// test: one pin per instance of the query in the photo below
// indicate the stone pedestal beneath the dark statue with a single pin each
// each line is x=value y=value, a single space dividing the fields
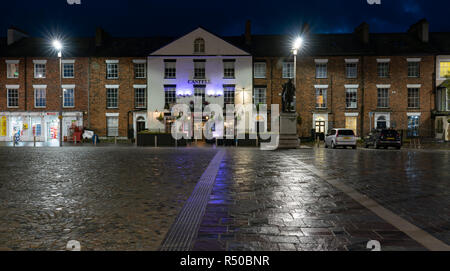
x=288 y=131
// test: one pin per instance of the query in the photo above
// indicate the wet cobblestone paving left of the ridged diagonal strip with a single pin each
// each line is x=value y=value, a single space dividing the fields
x=106 y=198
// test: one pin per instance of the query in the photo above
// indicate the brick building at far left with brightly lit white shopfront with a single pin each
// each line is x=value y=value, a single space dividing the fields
x=30 y=88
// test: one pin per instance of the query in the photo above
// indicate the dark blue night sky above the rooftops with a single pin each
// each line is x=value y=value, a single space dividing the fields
x=171 y=18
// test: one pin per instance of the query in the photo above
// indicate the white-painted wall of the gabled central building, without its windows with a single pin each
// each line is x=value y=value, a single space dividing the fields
x=182 y=51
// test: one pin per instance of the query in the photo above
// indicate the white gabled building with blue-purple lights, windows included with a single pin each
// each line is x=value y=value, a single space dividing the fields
x=199 y=64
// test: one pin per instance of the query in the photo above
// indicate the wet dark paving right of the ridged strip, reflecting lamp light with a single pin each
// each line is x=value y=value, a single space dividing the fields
x=268 y=201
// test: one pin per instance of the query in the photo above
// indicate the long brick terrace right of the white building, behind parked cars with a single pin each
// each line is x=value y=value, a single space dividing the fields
x=359 y=81
